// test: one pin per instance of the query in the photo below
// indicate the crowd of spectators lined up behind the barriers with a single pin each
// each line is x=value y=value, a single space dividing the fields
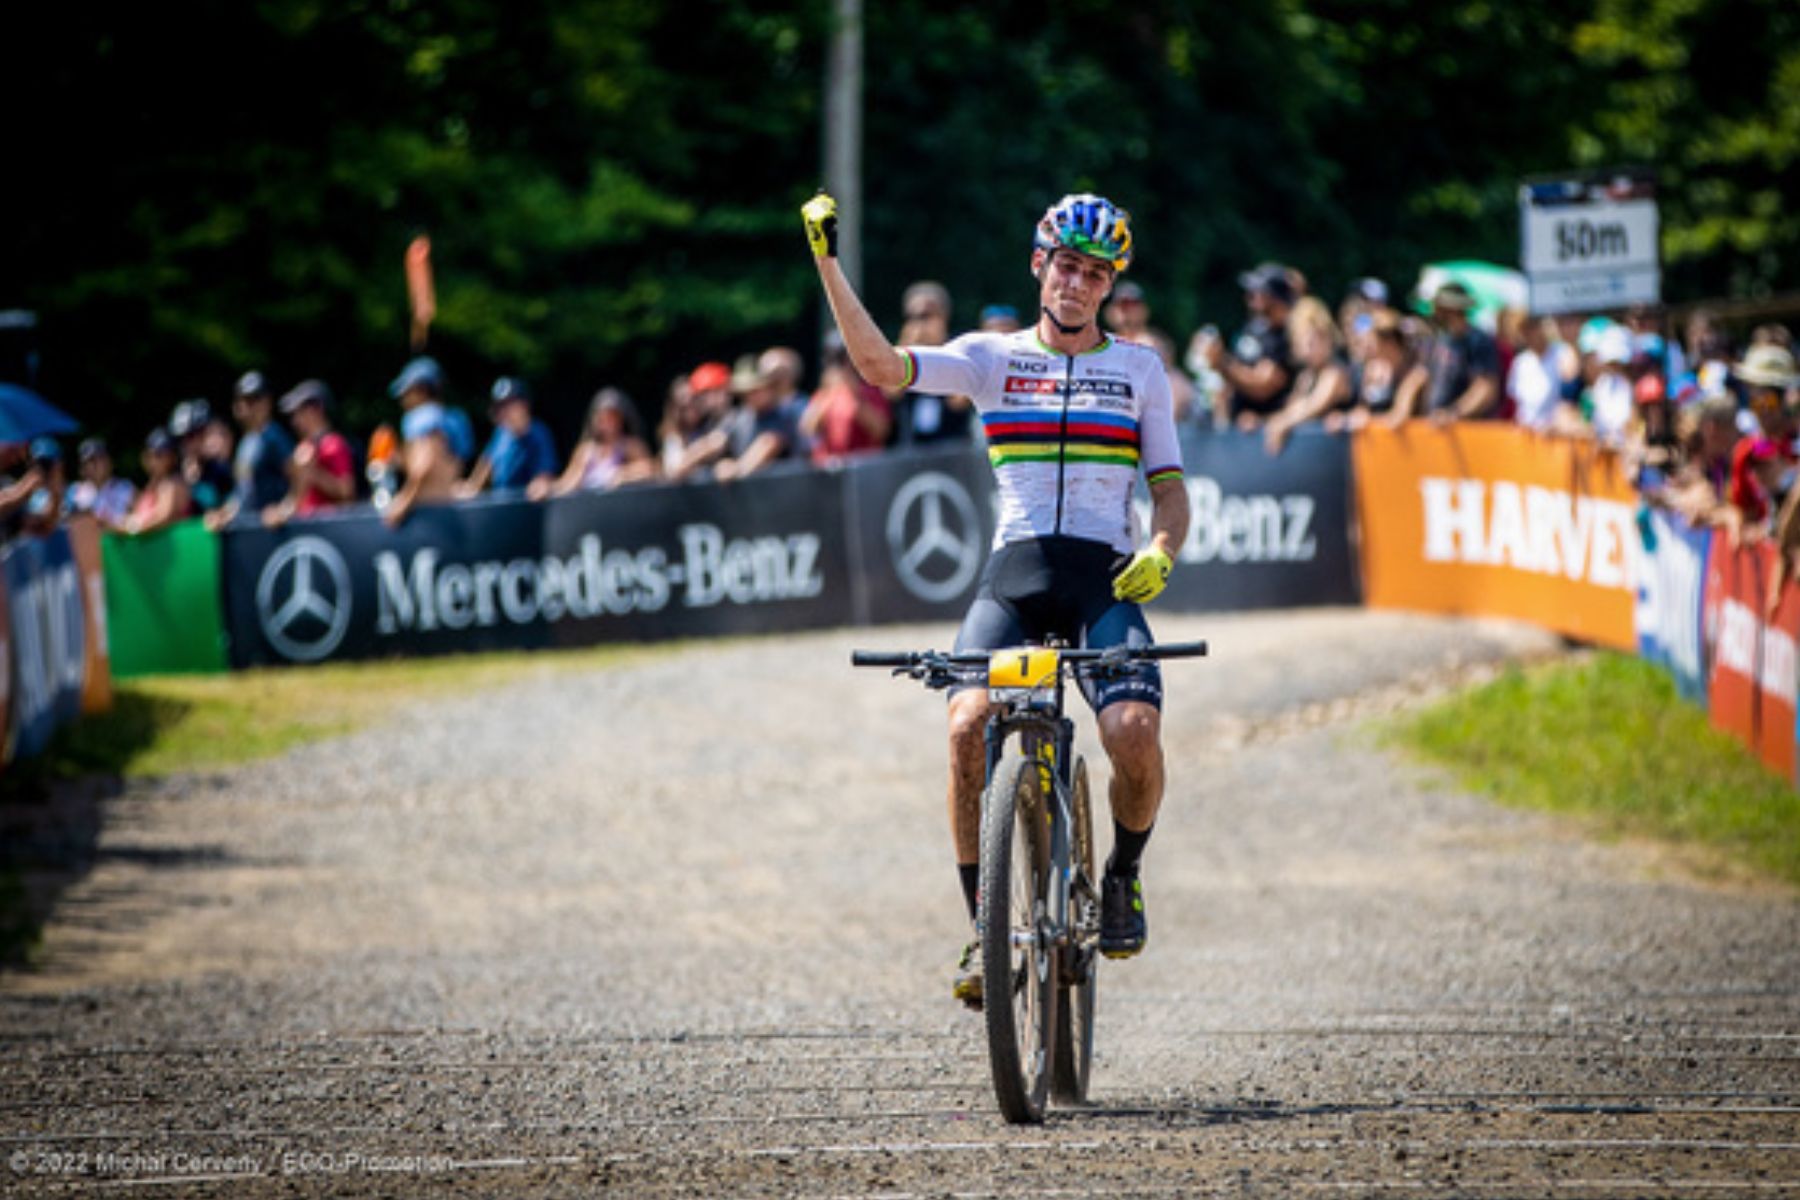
x=1707 y=425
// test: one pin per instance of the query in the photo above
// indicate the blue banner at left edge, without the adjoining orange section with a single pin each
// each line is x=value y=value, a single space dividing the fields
x=49 y=640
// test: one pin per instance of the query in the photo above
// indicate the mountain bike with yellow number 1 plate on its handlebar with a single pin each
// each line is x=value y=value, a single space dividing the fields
x=1038 y=922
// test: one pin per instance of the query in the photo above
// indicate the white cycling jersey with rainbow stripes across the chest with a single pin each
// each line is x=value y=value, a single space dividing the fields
x=1066 y=433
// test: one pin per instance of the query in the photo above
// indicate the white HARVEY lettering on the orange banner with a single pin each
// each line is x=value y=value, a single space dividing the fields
x=1533 y=530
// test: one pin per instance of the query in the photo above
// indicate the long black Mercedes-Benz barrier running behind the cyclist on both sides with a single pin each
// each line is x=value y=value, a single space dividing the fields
x=886 y=541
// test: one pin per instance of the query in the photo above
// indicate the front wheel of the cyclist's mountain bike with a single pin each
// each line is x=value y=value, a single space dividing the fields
x=1018 y=962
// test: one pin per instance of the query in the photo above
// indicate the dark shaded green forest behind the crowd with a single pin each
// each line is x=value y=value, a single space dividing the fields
x=611 y=186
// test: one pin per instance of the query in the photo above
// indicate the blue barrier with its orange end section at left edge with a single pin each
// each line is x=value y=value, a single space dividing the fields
x=55 y=613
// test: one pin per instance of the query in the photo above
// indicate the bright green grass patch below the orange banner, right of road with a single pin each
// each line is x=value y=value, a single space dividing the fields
x=1608 y=740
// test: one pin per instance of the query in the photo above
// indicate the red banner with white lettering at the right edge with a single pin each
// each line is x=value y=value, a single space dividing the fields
x=1754 y=665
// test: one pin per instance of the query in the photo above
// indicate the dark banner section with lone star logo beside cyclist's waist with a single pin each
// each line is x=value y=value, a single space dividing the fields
x=921 y=530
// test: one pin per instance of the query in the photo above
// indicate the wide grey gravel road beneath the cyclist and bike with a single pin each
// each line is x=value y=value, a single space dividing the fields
x=685 y=927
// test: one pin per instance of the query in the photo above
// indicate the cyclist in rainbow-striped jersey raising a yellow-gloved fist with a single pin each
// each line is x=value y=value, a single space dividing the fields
x=1070 y=416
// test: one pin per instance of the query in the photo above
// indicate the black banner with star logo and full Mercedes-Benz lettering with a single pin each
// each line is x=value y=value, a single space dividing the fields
x=649 y=562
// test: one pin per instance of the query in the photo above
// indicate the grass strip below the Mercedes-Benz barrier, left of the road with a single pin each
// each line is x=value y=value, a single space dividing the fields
x=199 y=722
